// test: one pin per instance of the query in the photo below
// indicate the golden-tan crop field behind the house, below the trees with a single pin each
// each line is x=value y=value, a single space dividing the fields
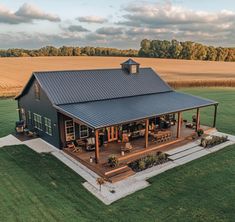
x=14 y=72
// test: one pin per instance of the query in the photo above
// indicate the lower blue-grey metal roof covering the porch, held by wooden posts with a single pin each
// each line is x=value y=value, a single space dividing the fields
x=104 y=113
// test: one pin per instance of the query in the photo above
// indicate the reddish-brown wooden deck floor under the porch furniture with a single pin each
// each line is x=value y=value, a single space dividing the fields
x=138 y=151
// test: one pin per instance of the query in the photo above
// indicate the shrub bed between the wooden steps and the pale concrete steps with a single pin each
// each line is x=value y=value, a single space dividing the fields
x=148 y=161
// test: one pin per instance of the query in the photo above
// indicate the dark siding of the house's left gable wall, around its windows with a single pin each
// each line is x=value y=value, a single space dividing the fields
x=44 y=108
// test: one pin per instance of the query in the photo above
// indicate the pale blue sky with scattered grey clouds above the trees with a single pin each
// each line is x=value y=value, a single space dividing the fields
x=121 y=24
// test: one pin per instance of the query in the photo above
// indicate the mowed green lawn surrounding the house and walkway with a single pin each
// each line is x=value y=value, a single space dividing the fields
x=36 y=187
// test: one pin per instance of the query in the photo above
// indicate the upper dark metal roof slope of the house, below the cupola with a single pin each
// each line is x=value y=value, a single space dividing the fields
x=63 y=87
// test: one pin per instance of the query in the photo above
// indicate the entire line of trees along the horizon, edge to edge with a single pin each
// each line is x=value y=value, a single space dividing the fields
x=148 y=48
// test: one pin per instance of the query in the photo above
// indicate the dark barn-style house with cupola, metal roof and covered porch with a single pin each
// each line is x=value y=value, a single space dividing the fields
x=92 y=114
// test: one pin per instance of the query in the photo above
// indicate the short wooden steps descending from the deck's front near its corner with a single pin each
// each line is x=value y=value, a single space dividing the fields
x=123 y=173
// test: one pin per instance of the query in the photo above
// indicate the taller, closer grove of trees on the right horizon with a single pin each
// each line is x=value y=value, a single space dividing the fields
x=184 y=50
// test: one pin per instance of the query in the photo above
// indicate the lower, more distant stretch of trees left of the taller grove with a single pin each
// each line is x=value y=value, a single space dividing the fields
x=69 y=51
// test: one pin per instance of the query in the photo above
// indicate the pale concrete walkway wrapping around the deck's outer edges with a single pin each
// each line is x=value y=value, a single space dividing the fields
x=113 y=192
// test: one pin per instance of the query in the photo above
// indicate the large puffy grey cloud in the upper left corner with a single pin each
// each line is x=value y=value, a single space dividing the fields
x=25 y=14
